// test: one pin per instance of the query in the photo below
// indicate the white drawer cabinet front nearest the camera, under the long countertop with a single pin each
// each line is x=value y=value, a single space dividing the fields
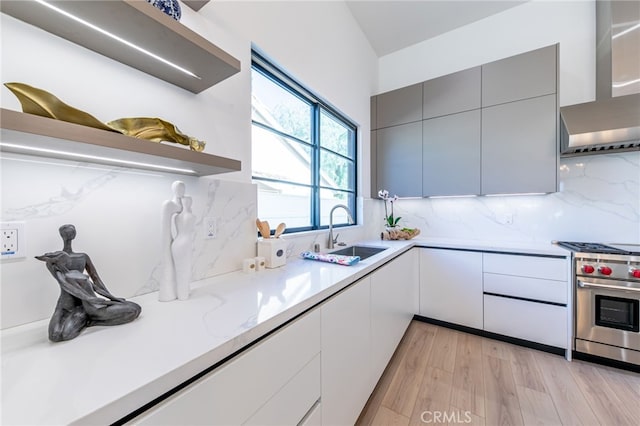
x=255 y=386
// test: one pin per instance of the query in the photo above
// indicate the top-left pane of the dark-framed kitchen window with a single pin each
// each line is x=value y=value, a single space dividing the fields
x=278 y=108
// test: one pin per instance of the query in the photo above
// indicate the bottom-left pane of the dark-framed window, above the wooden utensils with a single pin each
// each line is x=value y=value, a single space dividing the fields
x=280 y=202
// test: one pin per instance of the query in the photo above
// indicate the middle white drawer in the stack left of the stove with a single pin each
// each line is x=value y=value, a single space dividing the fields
x=528 y=288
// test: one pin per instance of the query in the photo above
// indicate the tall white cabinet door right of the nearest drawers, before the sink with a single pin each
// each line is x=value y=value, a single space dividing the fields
x=346 y=347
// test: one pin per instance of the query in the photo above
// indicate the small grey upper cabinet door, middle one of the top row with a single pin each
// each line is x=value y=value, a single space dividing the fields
x=451 y=93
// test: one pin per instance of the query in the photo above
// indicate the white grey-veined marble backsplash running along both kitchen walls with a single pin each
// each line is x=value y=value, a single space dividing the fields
x=117 y=213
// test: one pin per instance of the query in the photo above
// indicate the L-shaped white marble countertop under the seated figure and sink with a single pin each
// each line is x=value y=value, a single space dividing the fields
x=108 y=372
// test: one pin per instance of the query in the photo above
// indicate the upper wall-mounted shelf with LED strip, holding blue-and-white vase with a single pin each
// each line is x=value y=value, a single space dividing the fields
x=139 y=23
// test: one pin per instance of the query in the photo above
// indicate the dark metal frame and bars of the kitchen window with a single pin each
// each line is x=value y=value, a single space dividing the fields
x=318 y=106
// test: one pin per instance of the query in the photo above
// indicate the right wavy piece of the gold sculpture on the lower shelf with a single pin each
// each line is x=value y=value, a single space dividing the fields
x=156 y=130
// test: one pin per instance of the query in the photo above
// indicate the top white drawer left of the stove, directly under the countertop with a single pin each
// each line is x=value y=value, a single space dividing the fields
x=526 y=266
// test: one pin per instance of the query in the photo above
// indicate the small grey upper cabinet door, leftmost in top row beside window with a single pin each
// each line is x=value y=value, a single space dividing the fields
x=399 y=106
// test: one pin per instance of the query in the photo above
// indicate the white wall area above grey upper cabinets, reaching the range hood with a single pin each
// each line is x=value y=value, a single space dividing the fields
x=532 y=25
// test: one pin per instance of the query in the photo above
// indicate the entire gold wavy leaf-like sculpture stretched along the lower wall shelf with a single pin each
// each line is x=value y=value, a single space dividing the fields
x=39 y=102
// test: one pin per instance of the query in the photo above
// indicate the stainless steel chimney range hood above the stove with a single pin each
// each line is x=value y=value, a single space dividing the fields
x=611 y=122
